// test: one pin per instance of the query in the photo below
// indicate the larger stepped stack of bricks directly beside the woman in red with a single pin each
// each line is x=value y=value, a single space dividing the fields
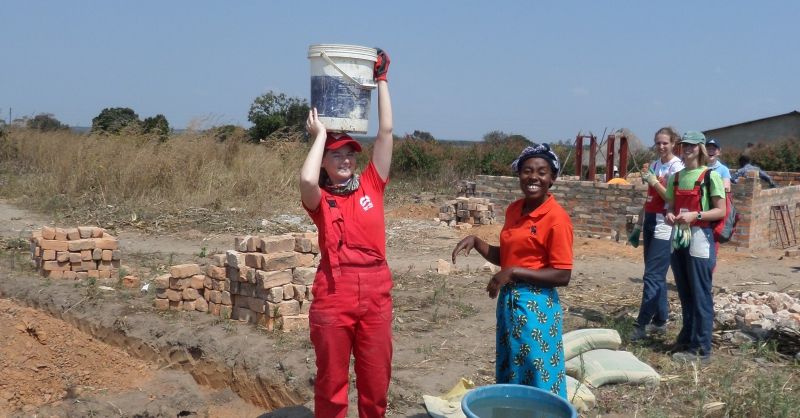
x=266 y=281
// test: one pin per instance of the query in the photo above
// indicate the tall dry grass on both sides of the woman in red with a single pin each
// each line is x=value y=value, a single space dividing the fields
x=189 y=181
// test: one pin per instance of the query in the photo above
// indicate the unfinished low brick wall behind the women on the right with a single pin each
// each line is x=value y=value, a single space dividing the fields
x=602 y=210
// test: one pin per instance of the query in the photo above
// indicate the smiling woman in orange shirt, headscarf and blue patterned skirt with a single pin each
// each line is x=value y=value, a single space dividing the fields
x=535 y=256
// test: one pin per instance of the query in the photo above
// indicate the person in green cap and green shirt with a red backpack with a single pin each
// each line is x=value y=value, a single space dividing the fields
x=692 y=207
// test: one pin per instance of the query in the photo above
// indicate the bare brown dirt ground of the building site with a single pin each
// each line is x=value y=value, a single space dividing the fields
x=77 y=350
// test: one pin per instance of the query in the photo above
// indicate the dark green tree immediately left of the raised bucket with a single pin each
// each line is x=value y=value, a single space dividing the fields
x=270 y=112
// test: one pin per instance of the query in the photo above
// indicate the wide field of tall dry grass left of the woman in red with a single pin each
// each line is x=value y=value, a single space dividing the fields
x=57 y=171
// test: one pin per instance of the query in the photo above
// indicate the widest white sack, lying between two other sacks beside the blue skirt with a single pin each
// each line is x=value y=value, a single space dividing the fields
x=600 y=367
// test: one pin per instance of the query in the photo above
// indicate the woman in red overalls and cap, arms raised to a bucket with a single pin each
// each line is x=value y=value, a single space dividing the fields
x=352 y=308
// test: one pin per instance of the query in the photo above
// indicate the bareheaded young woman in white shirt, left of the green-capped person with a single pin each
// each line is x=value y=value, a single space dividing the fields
x=654 y=310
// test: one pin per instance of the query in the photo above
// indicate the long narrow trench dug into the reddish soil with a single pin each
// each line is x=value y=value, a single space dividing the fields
x=254 y=389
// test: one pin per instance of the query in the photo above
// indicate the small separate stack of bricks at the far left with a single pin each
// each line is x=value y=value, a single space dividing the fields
x=75 y=253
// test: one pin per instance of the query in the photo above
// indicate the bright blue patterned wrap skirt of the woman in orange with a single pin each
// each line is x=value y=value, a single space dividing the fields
x=530 y=349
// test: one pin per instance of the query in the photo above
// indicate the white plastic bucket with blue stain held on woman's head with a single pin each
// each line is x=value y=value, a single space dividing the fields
x=341 y=85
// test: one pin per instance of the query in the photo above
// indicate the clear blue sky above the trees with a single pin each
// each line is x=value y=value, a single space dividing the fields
x=546 y=70
